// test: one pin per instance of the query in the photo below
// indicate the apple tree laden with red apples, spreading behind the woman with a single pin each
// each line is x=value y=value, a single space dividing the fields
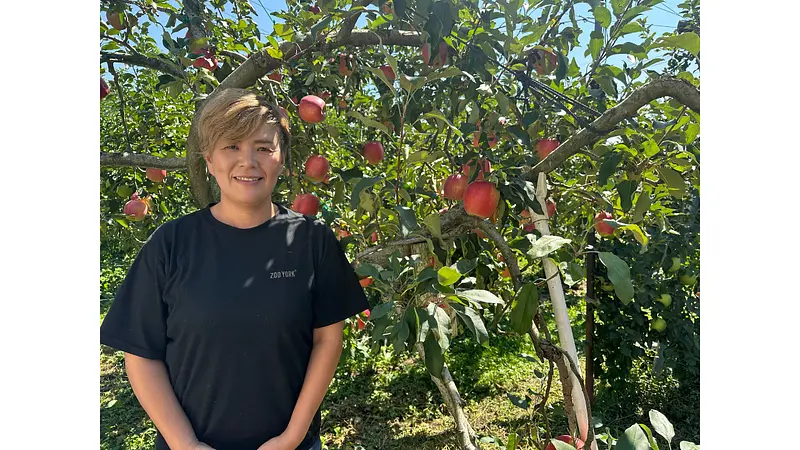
x=466 y=160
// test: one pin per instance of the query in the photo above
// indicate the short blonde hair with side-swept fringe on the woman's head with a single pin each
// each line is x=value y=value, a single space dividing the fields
x=235 y=114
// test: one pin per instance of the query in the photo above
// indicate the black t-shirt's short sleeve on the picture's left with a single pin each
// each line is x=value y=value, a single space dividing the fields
x=136 y=321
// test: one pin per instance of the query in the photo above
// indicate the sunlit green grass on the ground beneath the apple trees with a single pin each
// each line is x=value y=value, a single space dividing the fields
x=388 y=402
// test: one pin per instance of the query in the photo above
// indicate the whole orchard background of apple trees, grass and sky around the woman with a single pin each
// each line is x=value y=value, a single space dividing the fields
x=517 y=183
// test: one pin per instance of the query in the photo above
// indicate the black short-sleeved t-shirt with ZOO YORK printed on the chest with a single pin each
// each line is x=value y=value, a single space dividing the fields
x=232 y=312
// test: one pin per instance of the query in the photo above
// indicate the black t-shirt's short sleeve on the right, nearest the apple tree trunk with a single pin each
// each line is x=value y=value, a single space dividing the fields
x=337 y=293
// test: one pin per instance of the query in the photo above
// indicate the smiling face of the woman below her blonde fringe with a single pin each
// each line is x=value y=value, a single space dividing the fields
x=247 y=171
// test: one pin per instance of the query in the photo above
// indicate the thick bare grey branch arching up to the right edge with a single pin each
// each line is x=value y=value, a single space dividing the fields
x=681 y=90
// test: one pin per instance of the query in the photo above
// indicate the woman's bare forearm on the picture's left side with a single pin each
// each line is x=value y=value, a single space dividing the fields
x=150 y=383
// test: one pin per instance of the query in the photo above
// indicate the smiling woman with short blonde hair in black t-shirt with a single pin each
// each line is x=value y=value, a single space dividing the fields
x=231 y=317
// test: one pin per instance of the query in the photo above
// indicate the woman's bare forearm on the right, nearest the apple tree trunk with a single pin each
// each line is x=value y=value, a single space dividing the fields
x=321 y=369
